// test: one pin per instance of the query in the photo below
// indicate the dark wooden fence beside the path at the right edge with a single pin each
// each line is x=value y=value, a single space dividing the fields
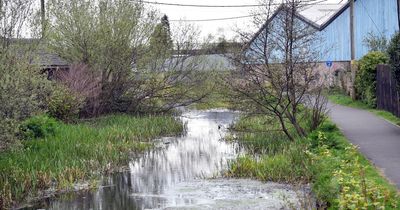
x=388 y=98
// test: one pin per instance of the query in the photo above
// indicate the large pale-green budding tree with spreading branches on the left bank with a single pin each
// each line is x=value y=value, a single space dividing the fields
x=132 y=52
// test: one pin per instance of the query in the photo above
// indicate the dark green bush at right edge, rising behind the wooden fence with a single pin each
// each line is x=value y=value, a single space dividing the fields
x=394 y=57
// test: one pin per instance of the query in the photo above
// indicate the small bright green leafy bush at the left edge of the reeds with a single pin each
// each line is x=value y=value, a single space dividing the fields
x=37 y=127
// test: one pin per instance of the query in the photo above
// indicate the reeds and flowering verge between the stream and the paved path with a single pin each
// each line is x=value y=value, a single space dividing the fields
x=341 y=177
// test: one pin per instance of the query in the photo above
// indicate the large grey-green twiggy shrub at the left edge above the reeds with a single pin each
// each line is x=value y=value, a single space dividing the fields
x=23 y=93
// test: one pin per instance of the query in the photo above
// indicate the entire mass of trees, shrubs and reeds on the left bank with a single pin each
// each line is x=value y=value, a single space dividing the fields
x=87 y=61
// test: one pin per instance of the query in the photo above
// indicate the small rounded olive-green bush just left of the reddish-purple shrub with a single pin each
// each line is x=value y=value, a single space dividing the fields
x=65 y=104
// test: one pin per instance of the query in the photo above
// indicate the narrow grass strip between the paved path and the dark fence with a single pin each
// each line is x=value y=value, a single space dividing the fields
x=343 y=99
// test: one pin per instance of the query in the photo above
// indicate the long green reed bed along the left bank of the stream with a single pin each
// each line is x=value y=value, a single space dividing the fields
x=76 y=153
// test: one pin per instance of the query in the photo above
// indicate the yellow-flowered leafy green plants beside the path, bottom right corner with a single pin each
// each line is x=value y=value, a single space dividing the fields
x=331 y=152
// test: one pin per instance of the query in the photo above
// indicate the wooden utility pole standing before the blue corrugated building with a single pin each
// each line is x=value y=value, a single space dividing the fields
x=353 y=66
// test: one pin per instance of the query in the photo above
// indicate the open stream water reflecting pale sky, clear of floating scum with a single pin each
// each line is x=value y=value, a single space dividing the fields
x=199 y=154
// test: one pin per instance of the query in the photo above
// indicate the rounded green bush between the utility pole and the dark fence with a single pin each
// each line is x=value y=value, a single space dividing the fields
x=366 y=77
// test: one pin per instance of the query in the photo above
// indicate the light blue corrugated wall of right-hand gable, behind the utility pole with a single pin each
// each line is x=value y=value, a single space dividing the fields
x=376 y=16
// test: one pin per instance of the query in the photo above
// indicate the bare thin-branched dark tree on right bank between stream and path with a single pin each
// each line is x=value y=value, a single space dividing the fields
x=277 y=73
